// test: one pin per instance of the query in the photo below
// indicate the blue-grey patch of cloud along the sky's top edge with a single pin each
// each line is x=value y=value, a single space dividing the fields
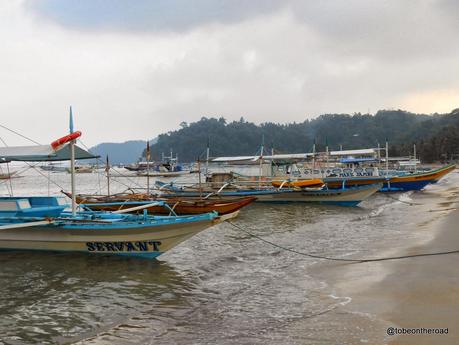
x=147 y=15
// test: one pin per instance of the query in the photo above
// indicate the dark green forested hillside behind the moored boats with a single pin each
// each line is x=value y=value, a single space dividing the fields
x=437 y=136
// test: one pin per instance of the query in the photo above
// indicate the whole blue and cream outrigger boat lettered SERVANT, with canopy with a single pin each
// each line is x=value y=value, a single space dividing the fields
x=41 y=223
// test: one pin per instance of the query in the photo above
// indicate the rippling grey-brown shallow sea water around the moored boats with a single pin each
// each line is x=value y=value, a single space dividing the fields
x=220 y=287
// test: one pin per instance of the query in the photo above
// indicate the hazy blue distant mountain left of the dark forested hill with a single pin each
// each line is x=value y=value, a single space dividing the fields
x=121 y=153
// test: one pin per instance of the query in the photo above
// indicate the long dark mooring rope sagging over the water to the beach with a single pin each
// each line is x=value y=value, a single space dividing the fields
x=341 y=259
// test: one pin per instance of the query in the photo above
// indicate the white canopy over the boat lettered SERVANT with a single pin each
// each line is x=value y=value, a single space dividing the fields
x=41 y=153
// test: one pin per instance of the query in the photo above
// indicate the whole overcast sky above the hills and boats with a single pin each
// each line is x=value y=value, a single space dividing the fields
x=134 y=69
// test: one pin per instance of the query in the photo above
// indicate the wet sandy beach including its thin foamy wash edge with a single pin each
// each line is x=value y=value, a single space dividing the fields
x=411 y=293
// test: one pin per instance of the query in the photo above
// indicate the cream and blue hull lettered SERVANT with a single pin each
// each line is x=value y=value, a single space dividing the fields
x=147 y=240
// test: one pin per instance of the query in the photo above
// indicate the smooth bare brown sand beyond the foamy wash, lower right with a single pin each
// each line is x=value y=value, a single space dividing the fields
x=424 y=292
